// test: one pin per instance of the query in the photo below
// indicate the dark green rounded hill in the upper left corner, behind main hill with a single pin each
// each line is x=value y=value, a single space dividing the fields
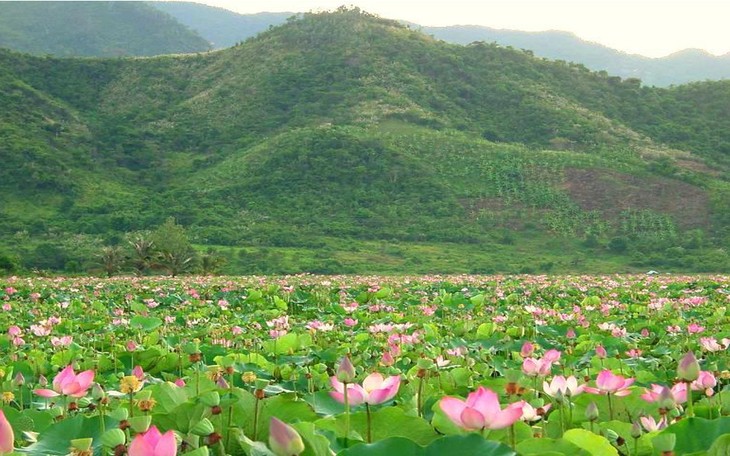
x=93 y=28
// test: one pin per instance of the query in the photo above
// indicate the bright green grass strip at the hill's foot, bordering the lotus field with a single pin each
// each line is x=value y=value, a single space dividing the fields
x=536 y=253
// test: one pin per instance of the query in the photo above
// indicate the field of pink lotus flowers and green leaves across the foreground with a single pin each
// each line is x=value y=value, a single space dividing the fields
x=310 y=365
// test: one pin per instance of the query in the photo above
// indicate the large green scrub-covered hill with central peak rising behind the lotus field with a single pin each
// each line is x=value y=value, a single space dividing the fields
x=341 y=142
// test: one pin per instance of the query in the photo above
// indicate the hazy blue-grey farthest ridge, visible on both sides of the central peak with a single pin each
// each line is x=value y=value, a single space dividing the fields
x=224 y=28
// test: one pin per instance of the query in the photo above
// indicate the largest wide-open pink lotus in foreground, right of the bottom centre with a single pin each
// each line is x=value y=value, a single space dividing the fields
x=481 y=410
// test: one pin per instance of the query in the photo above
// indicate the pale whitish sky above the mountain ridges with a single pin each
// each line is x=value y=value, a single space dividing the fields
x=653 y=28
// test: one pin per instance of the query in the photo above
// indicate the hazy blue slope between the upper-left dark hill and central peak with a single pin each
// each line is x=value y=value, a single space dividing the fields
x=221 y=27
